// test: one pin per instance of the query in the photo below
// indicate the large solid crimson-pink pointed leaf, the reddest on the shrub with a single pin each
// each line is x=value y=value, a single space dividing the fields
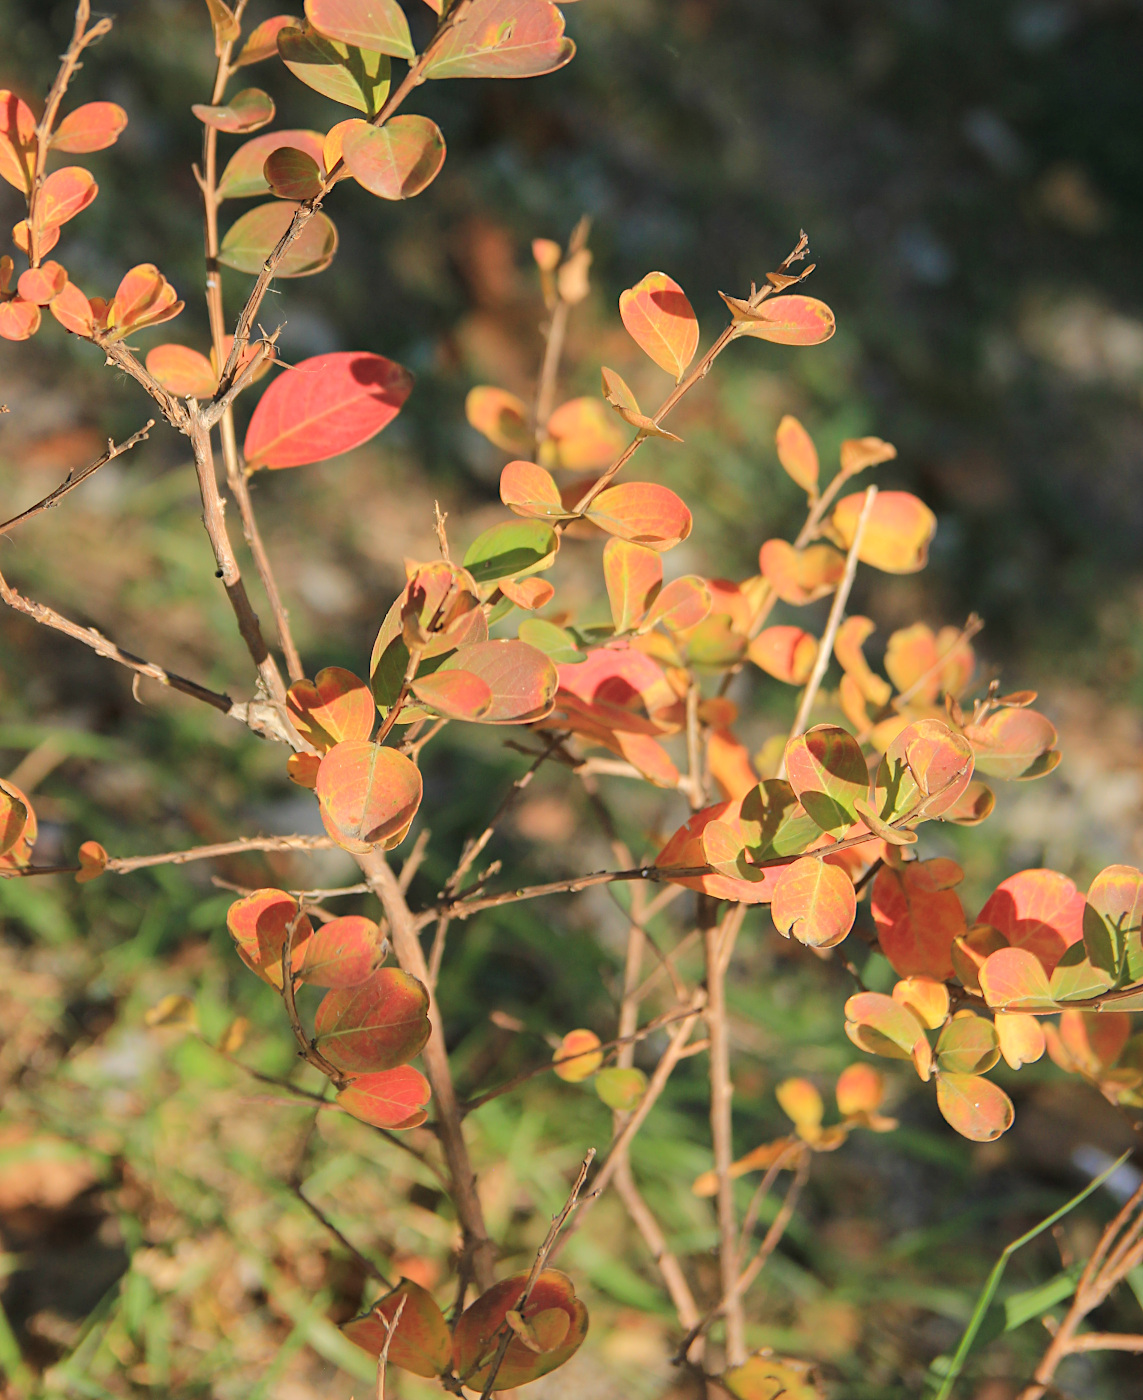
x=324 y=407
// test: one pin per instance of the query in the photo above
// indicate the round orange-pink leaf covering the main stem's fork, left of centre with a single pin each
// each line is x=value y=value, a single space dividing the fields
x=369 y=794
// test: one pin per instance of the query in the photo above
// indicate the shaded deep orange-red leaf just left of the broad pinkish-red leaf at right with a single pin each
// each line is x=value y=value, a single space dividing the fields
x=917 y=925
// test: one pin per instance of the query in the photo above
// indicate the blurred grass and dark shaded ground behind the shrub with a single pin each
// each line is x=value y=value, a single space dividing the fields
x=971 y=180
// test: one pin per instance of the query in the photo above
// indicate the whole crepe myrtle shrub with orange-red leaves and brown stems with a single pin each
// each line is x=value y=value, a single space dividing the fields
x=827 y=817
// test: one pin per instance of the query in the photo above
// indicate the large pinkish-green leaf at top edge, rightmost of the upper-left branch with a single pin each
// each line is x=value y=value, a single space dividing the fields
x=504 y=40
